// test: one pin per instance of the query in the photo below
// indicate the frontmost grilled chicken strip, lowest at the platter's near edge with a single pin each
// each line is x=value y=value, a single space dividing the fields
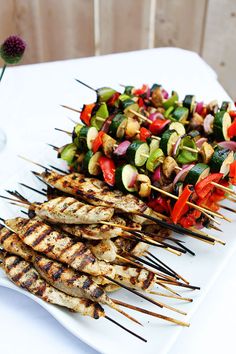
x=23 y=274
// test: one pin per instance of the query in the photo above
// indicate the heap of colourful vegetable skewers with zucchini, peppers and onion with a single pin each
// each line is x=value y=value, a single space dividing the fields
x=145 y=142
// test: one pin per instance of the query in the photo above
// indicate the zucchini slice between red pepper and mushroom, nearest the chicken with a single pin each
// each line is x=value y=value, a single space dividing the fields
x=125 y=177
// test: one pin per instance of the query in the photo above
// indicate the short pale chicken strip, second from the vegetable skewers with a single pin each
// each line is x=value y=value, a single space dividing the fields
x=70 y=211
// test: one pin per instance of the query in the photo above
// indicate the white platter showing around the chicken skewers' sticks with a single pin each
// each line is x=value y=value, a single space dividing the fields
x=202 y=270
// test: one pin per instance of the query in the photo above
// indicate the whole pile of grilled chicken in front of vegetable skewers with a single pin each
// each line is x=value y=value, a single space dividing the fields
x=78 y=245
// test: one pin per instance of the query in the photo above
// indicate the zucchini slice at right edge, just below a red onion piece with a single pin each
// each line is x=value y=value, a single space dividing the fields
x=221 y=160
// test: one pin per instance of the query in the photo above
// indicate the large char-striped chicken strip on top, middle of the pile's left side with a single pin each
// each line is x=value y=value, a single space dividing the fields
x=43 y=238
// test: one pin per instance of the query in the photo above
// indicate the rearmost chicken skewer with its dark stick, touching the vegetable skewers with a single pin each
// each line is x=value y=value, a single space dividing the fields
x=97 y=192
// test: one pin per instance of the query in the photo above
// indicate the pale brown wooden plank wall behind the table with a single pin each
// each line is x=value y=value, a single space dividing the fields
x=61 y=29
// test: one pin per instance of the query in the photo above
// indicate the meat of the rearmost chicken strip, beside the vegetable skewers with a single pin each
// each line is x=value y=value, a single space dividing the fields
x=95 y=192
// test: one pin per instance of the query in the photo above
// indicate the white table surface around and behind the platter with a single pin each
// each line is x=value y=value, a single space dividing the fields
x=29 y=104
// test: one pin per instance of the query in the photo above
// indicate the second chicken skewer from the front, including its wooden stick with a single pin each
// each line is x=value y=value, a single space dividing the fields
x=63 y=278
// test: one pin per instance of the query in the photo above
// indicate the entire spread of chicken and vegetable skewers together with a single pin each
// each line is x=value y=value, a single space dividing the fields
x=135 y=154
